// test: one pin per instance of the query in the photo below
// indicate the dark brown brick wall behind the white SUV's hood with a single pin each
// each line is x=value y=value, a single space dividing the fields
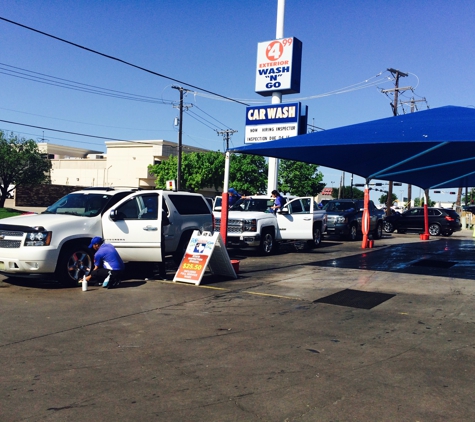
x=41 y=195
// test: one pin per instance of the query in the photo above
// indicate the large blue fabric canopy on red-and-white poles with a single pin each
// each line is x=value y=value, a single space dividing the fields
x=430 y=149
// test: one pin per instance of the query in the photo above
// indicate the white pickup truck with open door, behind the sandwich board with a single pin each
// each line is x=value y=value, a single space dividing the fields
x=251 y=223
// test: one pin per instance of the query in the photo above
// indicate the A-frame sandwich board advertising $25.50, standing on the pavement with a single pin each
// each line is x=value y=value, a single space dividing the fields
x=204 y=251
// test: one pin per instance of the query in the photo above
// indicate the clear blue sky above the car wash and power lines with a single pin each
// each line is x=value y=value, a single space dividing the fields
x=213 y=45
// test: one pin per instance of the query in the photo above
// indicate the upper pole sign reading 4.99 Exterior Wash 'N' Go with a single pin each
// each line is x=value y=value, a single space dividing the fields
x=279 y=65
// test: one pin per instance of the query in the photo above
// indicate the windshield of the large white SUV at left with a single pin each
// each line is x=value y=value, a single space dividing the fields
x=81 y=204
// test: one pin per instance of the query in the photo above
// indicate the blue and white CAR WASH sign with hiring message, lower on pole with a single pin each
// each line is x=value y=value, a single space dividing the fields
x=272 y=122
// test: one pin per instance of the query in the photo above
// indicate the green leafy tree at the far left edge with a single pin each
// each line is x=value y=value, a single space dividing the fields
x=21 y=164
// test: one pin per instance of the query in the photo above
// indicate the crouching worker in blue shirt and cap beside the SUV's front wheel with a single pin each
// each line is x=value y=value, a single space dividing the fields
x=106 y=259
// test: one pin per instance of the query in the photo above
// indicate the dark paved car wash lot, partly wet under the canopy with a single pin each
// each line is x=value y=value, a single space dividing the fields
x=333 y=334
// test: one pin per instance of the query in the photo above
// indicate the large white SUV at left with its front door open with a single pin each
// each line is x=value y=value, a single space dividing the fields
x=56 y=241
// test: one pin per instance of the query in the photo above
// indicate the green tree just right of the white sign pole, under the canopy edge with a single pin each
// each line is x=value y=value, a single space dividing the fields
x=300 y=179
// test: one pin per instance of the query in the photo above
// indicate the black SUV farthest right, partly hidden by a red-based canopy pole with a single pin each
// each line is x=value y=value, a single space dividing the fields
x=441 y=221
